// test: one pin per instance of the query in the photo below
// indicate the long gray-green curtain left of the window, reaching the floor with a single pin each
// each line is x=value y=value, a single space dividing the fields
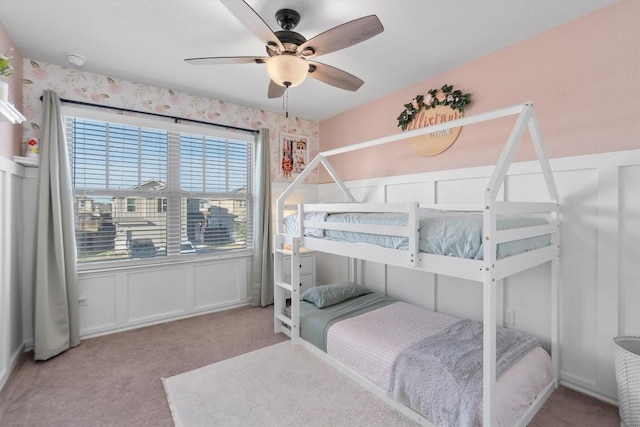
x=56 y=326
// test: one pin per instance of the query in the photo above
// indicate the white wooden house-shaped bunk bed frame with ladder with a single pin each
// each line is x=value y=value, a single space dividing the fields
x=487 y=271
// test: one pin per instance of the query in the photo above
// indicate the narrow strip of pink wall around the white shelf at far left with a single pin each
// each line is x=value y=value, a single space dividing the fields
x=10 y=134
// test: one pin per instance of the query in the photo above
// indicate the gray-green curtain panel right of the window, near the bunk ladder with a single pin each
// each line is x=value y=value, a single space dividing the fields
x=262 y=274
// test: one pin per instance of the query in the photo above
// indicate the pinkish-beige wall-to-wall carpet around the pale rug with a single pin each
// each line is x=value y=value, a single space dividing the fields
x=114 y=380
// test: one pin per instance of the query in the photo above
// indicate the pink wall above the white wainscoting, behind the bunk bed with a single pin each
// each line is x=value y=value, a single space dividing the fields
x=583 y=78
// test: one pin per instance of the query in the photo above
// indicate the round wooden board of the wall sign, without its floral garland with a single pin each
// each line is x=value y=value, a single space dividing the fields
x=434 y=143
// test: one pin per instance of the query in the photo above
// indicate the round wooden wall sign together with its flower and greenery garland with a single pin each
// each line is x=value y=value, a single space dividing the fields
x=437 y=106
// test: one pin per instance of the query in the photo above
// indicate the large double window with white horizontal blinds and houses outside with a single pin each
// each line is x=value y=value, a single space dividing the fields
x=146 y=189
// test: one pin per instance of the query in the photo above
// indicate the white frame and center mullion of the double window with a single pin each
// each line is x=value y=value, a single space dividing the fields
x=172 y=125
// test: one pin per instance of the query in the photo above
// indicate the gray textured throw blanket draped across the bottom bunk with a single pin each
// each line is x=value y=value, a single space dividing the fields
x=440 y=376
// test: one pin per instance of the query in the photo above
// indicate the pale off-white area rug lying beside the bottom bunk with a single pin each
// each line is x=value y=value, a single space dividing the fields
x=280 y=385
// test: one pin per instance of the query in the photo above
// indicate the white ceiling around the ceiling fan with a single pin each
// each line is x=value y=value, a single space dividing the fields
x=146 y=41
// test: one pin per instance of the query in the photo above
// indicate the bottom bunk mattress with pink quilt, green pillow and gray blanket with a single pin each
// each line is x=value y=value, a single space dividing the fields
x=429 y=361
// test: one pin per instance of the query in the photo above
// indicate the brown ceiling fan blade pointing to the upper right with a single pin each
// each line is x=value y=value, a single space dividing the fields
x=343 y=36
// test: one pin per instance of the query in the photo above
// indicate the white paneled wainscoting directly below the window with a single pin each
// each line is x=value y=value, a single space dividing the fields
x=118 y=299
